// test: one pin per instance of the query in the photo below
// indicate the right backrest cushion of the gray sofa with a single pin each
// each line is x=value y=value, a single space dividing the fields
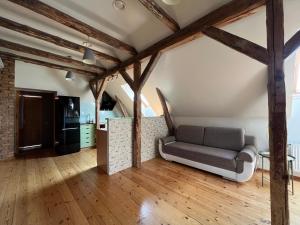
x=226 y=138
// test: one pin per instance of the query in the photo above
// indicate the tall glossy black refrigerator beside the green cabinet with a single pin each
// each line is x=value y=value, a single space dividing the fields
x=67 y=124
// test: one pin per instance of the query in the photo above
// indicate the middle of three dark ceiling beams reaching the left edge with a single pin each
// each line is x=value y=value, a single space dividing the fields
x=48 y=55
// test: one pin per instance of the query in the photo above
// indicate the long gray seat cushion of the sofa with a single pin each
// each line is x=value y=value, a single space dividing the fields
x=221 y=158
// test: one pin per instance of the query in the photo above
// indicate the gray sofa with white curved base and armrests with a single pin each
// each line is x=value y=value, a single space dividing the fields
x=224 y=151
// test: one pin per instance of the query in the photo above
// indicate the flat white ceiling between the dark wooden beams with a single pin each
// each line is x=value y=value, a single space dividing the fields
x=135 y=25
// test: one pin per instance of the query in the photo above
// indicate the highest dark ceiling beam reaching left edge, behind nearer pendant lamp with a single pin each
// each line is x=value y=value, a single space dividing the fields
x=32 y=32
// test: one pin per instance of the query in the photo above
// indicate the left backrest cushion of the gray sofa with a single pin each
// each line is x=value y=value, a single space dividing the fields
x=190 y=134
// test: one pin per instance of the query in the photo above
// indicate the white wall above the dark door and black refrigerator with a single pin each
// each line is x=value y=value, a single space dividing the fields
x=43 y=78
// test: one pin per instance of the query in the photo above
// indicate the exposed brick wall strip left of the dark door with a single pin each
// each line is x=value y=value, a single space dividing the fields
x=7 y=109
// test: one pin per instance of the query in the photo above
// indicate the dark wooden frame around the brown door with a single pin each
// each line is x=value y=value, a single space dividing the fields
x=17 y=113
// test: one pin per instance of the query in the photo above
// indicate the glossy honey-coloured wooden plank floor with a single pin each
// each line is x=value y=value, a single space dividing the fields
x=70 y=190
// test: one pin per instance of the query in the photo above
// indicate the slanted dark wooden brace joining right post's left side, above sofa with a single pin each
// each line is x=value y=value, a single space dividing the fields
x=239 y=44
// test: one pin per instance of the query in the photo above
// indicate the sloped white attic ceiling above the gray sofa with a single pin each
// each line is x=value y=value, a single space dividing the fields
x=207 y=79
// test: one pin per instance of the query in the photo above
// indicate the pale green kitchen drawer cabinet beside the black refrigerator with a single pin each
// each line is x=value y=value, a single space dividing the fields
x=87 y=135
